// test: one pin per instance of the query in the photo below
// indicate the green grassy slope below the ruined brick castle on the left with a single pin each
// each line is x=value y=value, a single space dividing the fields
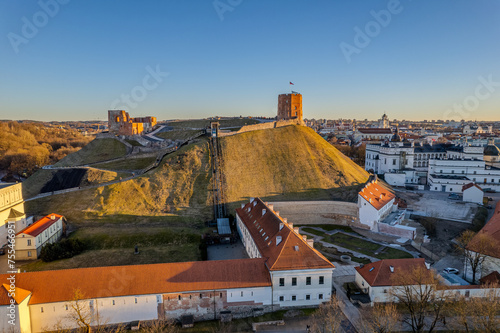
x=96 y=151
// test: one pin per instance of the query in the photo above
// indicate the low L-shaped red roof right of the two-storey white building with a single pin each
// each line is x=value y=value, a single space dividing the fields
x=379 y=273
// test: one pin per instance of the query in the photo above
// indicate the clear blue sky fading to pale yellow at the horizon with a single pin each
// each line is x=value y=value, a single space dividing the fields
x=427 y=57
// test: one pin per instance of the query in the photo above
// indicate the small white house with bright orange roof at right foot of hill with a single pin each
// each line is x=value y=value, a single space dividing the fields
x=375 y=202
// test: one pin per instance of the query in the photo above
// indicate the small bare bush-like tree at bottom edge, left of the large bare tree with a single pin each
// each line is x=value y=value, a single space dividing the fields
x=382 y=318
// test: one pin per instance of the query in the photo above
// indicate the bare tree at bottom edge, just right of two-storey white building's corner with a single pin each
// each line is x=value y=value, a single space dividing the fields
x=327 y=318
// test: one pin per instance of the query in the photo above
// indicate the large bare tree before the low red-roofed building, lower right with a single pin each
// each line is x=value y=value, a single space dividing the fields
x=419 y=292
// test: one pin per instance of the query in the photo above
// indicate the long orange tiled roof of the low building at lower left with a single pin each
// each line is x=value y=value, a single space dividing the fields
x=96 y=282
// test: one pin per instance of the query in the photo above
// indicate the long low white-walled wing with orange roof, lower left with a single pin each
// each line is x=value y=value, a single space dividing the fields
x=121 y=294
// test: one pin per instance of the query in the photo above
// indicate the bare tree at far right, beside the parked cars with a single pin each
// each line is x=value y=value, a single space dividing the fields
x=474 y=247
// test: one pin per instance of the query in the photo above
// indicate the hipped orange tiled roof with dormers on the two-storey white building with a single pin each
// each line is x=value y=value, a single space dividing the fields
x=292 y=252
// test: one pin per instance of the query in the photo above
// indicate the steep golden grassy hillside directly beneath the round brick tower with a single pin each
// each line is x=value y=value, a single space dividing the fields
x=291 y=162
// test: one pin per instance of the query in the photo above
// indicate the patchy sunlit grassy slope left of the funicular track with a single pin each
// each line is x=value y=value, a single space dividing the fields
x=179 y=183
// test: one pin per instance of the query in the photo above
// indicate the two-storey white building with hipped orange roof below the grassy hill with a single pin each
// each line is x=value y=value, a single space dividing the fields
x=300 y=274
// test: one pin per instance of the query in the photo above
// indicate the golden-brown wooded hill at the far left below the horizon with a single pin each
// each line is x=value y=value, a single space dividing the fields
x=26 y=147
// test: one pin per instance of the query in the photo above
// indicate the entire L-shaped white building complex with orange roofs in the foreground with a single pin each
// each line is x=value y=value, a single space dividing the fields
x=284 y=271
